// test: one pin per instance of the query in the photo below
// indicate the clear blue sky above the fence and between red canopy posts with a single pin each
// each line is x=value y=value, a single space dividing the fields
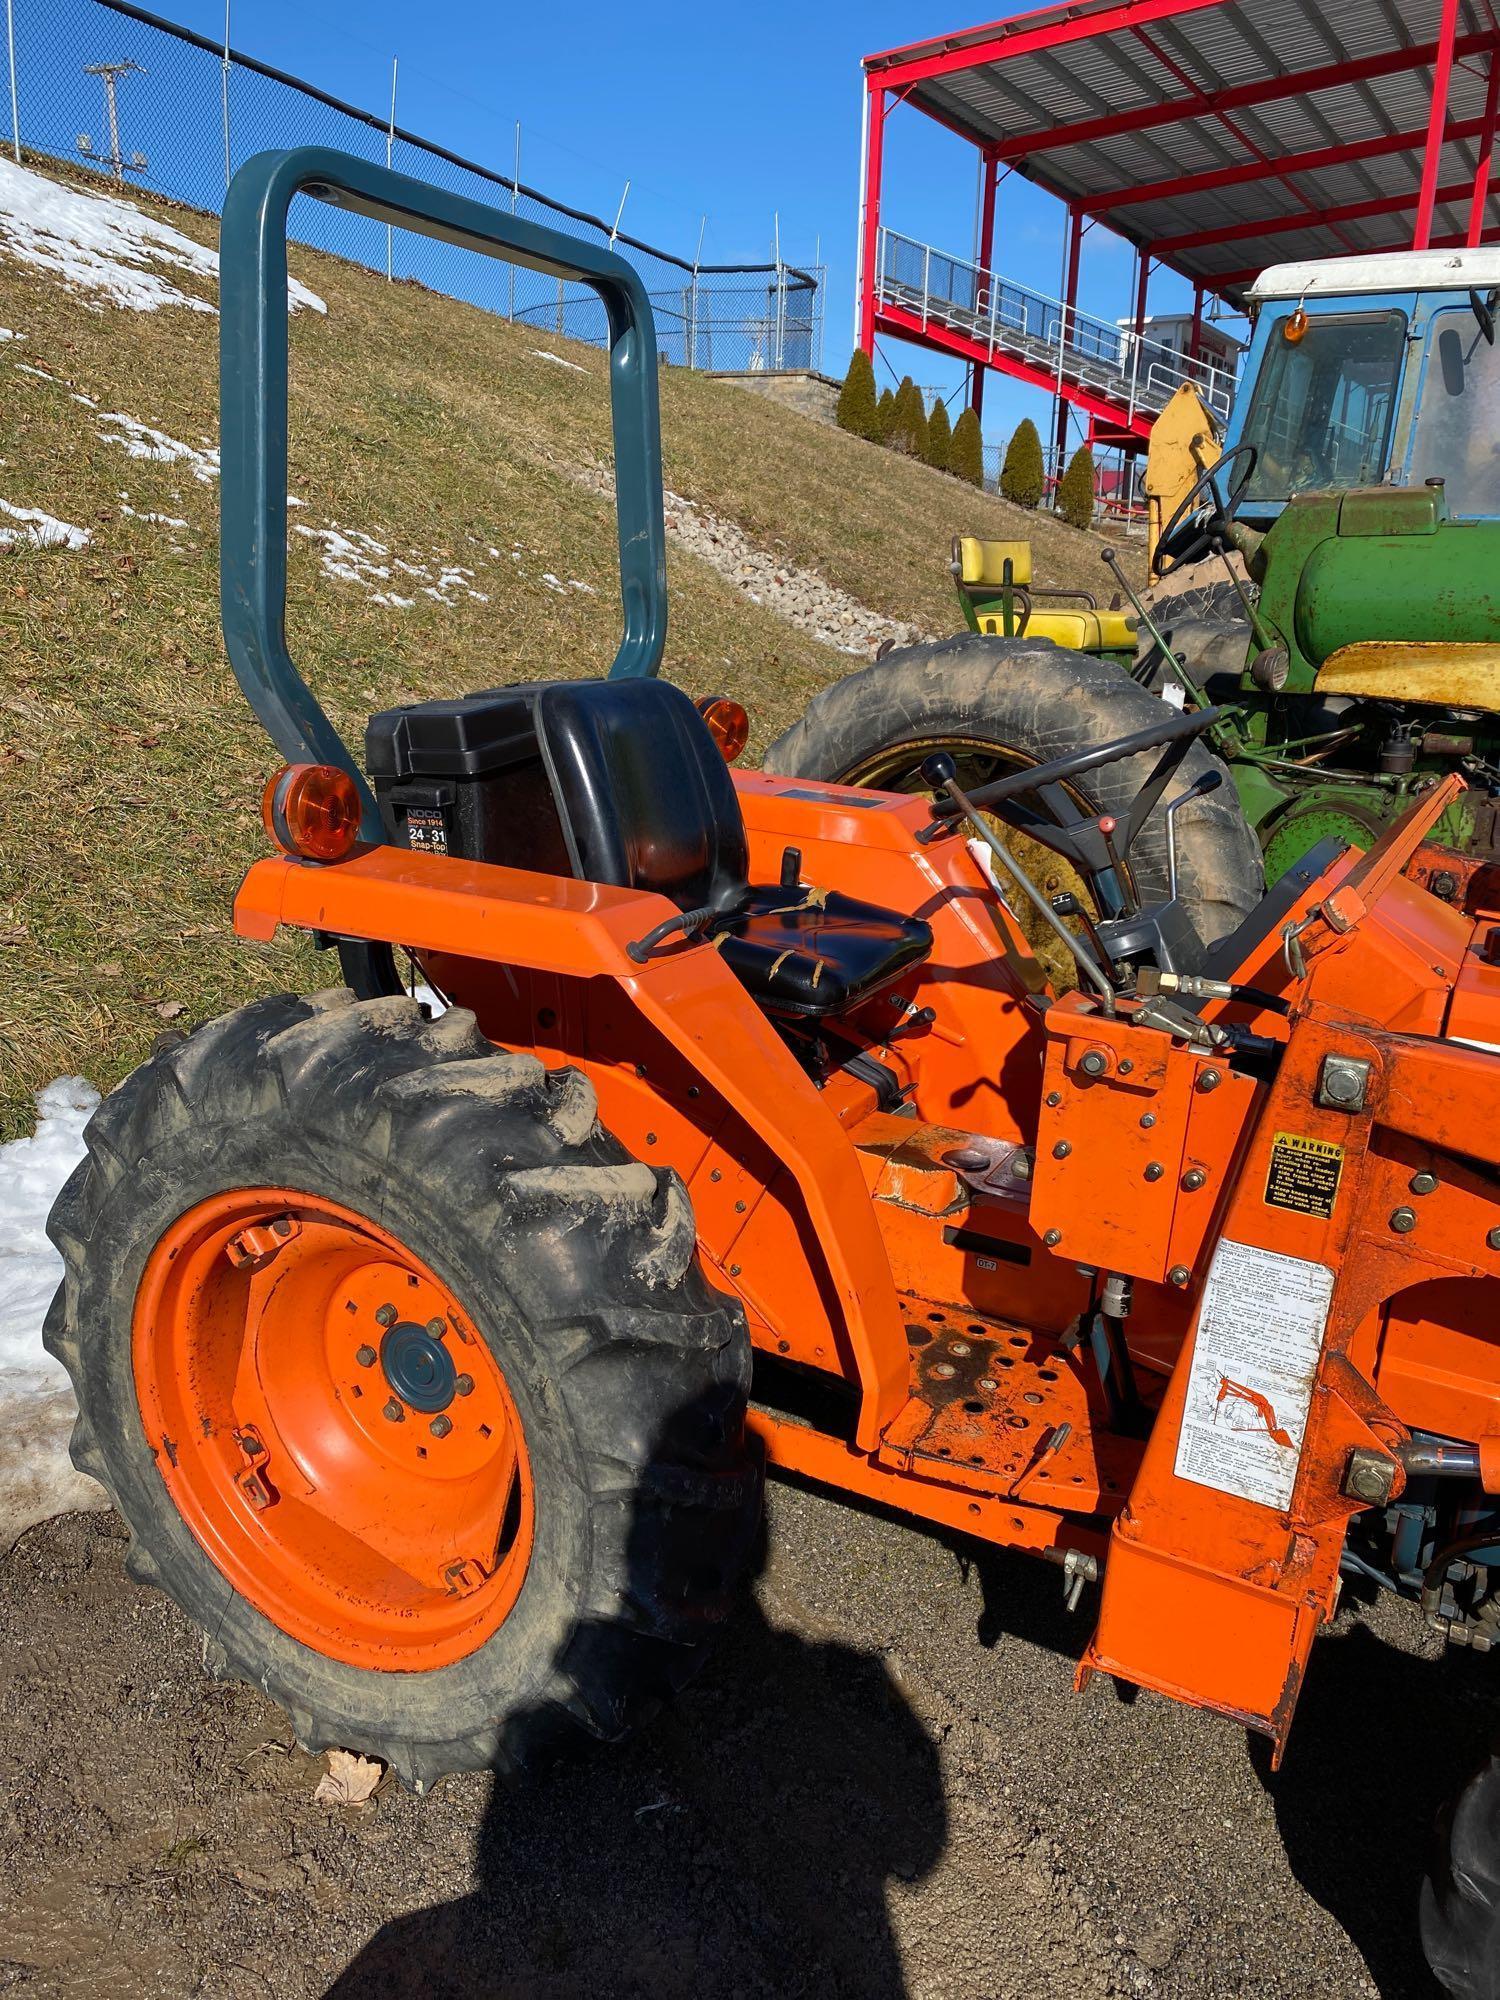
x=739 y=115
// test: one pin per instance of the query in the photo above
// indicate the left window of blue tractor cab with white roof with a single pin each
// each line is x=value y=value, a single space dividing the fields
x=1323 y=405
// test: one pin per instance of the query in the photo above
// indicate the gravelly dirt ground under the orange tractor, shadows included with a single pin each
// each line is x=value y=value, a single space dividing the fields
x=883 y=1787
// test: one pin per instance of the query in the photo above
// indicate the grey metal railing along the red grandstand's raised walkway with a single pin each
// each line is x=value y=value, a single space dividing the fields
x=1073 y=347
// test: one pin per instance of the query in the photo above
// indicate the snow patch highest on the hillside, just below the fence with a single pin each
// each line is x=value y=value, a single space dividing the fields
x=105 y=245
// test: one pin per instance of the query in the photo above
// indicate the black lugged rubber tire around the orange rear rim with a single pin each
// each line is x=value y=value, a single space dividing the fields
x=573 y=1265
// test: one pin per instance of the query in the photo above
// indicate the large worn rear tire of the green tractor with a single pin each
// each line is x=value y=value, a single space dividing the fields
x=1027 y=703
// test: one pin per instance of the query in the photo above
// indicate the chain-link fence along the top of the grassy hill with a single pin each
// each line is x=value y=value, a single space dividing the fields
x=145 y=103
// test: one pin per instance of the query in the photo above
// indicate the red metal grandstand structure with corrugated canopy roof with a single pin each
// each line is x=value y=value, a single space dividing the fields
x=1217 y=137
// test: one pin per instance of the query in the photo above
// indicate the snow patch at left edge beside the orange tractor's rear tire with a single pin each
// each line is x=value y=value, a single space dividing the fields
x=37 y=1407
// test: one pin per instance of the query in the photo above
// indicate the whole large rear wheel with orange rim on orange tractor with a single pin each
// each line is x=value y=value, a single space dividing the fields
x=407 y=1383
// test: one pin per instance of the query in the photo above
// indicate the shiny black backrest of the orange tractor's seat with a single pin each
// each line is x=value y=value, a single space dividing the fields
x=647 y=799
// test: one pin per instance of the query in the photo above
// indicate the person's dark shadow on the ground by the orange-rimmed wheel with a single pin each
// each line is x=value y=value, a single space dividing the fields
x=741 y=1845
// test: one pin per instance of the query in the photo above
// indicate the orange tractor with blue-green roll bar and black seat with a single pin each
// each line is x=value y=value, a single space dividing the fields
x=433 y=1353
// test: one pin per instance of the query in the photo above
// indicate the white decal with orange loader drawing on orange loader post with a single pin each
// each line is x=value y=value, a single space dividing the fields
x=1253 y=1365
